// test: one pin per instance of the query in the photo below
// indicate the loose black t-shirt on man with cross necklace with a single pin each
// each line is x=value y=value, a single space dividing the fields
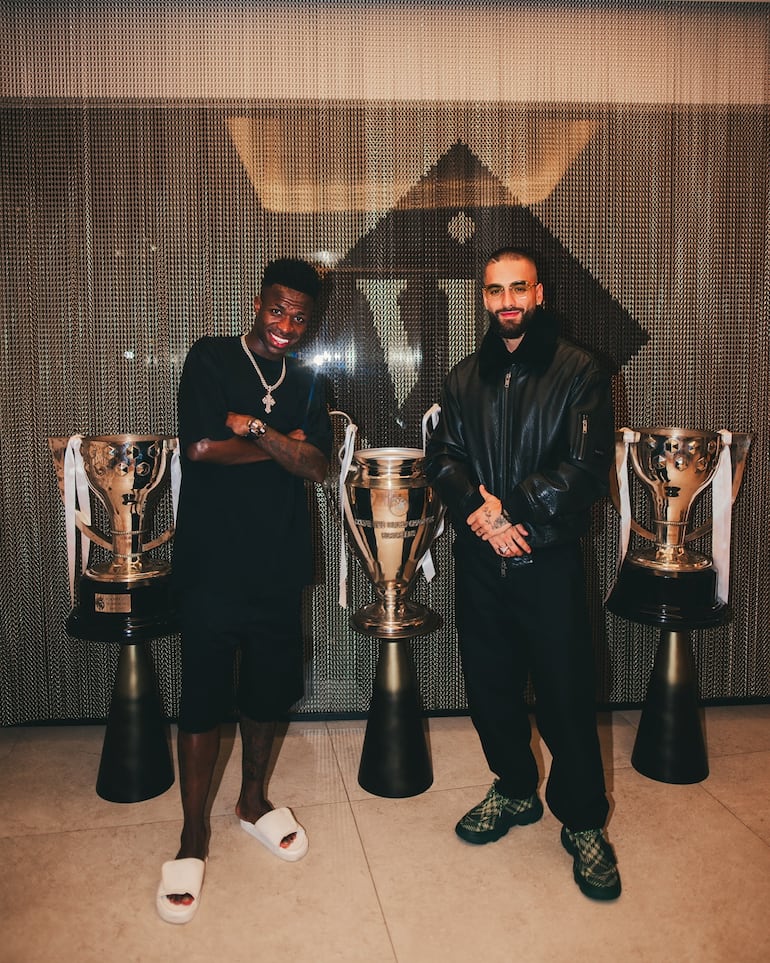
x=243 y=530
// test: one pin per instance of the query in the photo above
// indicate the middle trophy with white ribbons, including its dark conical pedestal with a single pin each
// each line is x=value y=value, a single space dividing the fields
x=391 y=516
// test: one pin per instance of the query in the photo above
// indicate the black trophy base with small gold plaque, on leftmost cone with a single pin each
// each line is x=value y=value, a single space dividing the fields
x=123 y=611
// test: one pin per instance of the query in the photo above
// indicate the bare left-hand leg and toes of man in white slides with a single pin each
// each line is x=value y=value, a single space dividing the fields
x=198 y=752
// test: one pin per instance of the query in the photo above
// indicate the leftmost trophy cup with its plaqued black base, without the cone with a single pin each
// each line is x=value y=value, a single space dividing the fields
x=127 y=596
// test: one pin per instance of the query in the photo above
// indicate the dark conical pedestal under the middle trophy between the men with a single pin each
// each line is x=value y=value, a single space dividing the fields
x=395 y=761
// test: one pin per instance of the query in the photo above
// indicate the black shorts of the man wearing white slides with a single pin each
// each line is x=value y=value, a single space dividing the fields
x=268 y=635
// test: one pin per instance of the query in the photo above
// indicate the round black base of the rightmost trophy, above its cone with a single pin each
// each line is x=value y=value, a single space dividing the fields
x=678 y=600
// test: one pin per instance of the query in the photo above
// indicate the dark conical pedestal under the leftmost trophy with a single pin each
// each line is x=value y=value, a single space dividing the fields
x=136 y=758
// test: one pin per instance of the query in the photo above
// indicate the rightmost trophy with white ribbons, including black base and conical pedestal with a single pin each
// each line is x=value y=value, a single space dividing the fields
x=670 y=585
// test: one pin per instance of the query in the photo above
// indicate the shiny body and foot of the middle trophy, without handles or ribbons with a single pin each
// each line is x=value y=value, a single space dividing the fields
x=391 y=515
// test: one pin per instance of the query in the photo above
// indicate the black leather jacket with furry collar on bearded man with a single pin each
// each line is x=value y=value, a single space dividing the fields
x=535 y=426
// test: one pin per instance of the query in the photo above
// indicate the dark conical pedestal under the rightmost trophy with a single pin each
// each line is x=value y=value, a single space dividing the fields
x=670 y=746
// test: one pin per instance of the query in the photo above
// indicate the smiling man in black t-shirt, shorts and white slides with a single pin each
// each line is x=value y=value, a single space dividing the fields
x=253 y=426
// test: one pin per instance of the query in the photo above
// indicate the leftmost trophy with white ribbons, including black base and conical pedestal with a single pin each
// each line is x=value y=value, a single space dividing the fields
x=125 y=598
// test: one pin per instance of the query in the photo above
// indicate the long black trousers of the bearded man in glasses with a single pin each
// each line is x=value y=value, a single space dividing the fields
x=532 y=621
